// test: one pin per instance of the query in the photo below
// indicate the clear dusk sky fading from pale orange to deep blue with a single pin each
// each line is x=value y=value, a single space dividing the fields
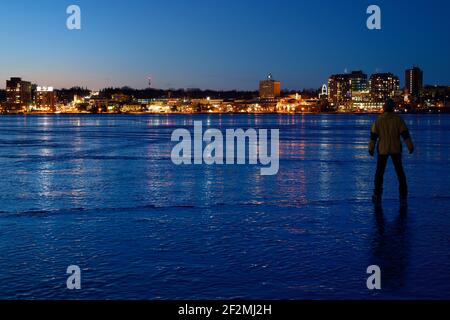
x=219 y=44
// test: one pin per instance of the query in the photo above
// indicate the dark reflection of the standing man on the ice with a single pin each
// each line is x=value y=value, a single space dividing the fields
x=391 y=248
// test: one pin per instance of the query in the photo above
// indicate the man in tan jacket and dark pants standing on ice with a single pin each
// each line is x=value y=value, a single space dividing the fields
x=387 y=130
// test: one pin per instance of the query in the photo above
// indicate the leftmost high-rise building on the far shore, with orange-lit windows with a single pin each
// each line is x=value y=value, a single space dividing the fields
x=18 y=95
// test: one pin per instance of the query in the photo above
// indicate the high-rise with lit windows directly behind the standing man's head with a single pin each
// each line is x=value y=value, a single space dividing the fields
x=383 y=86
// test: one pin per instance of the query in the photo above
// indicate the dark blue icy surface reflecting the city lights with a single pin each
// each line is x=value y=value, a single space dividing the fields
x=101 y=192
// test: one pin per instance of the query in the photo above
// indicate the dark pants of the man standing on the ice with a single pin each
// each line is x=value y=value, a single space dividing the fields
x=381 y=168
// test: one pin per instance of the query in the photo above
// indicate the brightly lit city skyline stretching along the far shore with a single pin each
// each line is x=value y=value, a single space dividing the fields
x=349 y=92
